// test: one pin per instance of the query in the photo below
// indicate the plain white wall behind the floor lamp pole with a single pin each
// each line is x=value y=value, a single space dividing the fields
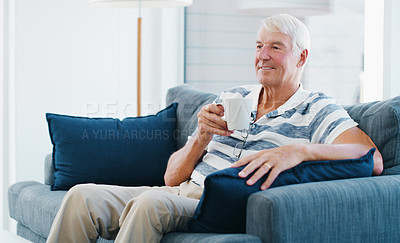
x=74 y=59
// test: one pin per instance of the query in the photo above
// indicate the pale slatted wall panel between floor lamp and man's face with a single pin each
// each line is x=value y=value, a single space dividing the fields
x=219 y=45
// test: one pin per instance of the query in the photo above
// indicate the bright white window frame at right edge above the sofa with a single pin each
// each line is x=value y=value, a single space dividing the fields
x=381 y=76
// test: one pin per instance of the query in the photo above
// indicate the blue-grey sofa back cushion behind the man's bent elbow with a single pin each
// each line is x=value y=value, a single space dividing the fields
x=381 y=121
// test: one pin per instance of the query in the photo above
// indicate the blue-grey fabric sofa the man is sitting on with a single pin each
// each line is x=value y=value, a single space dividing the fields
x=352 y=210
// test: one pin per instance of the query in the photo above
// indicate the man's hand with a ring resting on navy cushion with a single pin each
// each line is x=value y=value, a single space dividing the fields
x=274 y=160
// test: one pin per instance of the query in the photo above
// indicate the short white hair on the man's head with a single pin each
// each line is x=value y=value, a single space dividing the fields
x=291 y=26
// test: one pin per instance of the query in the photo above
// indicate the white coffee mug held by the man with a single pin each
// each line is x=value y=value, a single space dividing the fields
x=237 y=112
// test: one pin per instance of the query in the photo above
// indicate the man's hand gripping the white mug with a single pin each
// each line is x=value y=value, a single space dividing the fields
x=210 y=122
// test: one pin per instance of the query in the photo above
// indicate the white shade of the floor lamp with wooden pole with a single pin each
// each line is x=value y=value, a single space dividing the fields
x=144 y=3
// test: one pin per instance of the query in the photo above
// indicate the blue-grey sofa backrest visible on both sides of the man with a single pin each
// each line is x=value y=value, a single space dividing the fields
x=380 y=120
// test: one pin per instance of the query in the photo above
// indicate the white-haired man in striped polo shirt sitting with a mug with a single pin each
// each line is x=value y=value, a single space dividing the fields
x=289 y=125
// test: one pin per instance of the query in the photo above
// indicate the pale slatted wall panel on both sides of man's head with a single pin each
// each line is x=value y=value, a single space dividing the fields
x=220 y=48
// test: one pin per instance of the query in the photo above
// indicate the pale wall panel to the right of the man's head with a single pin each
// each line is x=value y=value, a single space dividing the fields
x=337 y=47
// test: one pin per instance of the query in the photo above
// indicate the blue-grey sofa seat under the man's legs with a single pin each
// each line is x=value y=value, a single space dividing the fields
x=34 y=206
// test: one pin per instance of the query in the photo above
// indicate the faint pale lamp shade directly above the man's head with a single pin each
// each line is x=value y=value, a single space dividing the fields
x=298 y=8
